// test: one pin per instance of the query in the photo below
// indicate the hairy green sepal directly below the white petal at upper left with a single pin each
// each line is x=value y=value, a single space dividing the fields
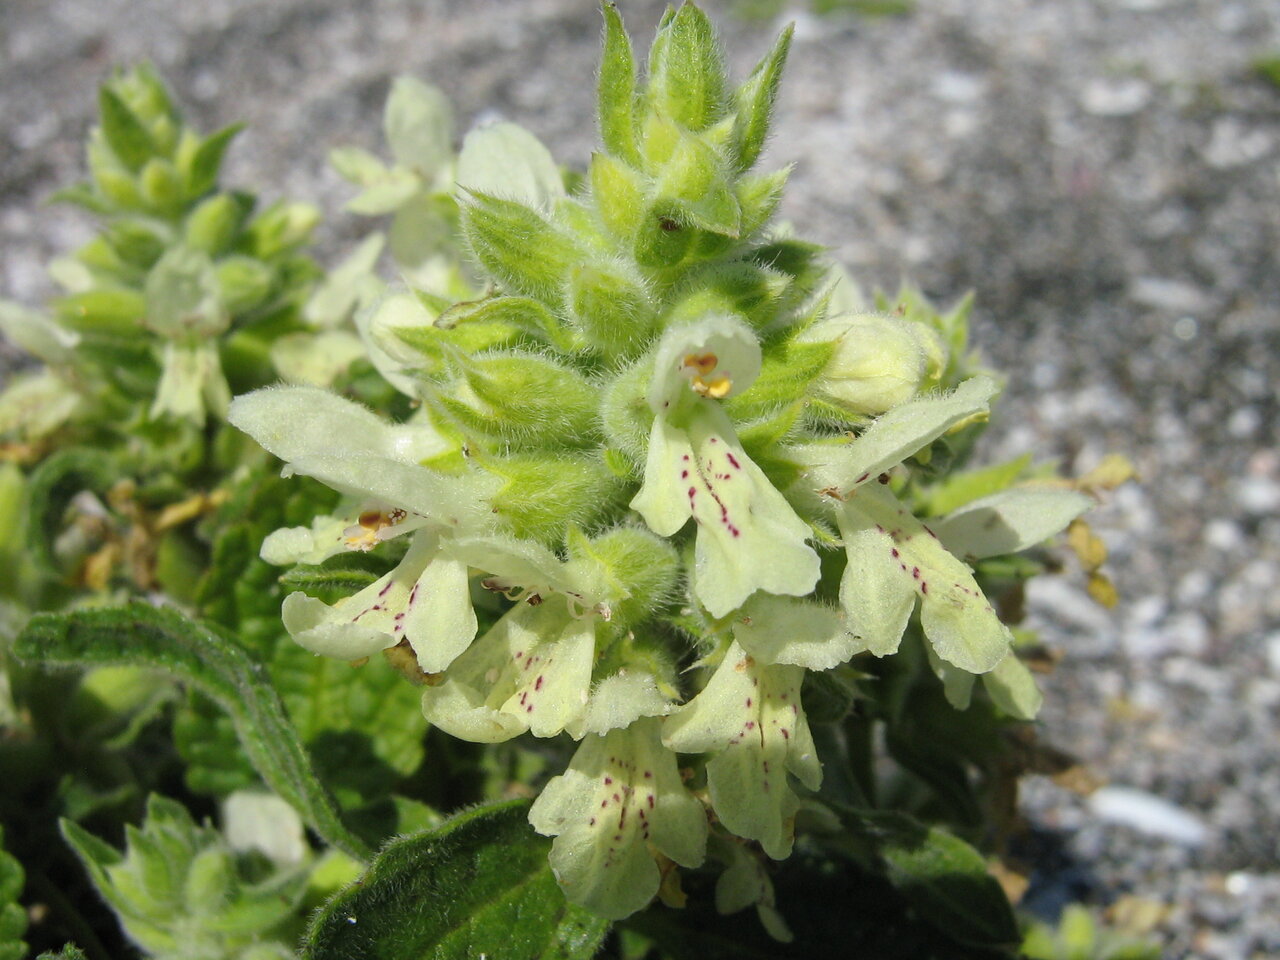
x=519 y=248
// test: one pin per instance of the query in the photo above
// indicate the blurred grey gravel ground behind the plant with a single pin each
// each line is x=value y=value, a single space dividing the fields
x=1104 y=173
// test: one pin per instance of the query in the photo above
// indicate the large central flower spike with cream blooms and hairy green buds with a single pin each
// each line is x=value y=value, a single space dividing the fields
x=648 y=353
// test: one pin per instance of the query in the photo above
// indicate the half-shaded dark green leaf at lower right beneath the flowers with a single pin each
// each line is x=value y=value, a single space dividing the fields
x=947 y=881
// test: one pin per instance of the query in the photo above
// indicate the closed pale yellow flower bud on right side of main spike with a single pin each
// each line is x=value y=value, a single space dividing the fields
x=879 y=362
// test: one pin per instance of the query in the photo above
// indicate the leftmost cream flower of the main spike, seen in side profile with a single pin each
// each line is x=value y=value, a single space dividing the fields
x=427 y=598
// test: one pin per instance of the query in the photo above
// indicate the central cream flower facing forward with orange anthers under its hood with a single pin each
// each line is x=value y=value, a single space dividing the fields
x=749 y=537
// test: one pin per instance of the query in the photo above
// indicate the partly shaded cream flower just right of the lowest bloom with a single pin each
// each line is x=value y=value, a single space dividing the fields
x=749 y=715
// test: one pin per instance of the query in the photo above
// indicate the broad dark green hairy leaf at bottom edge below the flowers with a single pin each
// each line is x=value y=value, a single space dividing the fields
x=478 y=886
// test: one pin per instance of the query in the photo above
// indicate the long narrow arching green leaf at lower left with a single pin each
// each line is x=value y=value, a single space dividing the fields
x=144 y=636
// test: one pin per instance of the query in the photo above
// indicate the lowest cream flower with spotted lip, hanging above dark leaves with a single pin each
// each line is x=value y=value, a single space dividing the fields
x=620 y=802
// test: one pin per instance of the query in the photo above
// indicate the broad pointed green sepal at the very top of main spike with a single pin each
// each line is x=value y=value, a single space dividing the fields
x=687 y=71
